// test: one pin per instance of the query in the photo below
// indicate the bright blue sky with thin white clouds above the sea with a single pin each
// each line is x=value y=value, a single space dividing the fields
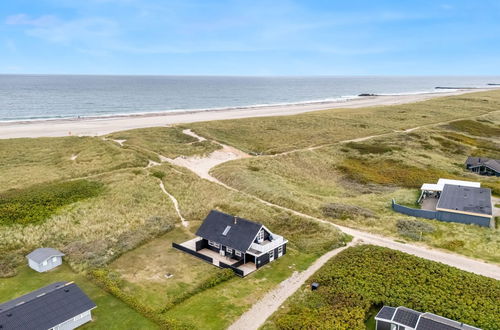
x=273 y=37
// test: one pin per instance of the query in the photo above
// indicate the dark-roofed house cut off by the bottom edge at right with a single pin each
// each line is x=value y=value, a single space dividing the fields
x=402 y=318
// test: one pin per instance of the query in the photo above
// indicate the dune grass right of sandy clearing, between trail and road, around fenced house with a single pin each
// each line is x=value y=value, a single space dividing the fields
x=361 y=184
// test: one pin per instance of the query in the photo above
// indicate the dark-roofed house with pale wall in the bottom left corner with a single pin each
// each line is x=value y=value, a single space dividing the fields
x=58 y=306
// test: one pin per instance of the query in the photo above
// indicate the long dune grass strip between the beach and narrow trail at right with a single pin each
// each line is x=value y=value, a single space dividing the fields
x=272 y=135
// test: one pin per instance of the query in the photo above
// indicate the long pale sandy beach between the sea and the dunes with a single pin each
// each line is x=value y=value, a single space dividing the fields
x=105 y=125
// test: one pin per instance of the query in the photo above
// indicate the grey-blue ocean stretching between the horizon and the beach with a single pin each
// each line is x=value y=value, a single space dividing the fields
x=37 y=97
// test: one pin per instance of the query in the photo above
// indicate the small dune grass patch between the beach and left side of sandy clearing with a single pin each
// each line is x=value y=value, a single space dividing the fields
x=166 y=141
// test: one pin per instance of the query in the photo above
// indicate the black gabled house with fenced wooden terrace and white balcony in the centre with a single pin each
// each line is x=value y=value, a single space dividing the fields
x=231 y=242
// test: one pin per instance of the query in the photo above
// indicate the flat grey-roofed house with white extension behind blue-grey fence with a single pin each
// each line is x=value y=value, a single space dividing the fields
x=453 y=201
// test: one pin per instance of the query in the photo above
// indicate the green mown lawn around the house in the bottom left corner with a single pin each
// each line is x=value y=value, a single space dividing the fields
x=111 y=313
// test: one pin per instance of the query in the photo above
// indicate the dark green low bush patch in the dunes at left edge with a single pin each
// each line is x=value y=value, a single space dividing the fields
x=37 y=203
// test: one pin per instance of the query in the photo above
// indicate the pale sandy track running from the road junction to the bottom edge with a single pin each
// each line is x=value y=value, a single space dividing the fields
x=267 y=305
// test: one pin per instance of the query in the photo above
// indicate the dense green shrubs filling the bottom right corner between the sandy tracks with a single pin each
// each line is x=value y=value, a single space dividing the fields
x=363 y=277
